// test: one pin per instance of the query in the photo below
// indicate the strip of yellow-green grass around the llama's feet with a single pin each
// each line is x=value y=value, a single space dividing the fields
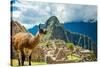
x=15 y=63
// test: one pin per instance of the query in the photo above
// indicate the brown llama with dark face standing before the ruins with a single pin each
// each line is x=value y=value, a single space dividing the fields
x=24 y=43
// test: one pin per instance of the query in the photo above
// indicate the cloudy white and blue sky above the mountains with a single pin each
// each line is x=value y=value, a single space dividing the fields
x=31 y=13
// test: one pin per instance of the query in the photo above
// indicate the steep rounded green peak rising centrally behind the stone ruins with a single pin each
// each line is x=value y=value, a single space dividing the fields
x=55 y=29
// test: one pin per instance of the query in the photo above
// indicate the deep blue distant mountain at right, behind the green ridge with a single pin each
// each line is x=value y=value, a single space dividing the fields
x=88 y=29
